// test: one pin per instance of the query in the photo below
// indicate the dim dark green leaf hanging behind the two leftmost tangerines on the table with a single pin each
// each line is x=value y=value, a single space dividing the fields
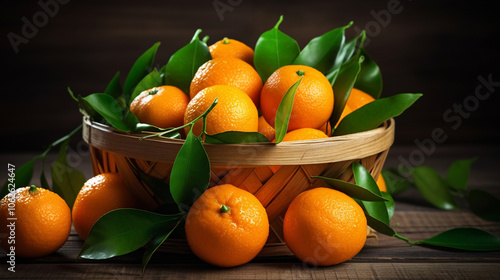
x=66 y=180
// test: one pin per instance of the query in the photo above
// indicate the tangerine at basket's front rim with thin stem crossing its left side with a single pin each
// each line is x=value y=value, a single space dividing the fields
x=234 y=111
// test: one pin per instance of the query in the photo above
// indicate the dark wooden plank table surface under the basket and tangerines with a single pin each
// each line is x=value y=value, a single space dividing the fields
x=382 y=257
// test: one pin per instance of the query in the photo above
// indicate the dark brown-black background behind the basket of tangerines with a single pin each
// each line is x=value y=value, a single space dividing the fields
x=436 y=48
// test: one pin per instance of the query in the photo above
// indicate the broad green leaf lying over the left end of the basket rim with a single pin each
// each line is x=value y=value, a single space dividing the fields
x=108 y=108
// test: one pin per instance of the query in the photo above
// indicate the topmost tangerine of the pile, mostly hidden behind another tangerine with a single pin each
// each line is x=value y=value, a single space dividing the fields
x=232 y=48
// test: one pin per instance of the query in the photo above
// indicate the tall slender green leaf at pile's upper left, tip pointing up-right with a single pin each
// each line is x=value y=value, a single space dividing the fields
x=139 y=70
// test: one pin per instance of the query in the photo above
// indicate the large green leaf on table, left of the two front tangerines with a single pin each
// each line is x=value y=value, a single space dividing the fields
x=124 y=230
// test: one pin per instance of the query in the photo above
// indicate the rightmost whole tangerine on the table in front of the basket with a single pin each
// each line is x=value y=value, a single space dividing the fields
x=324 y=227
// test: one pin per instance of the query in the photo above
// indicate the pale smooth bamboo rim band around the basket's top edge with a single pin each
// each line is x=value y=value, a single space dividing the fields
x=333 y=149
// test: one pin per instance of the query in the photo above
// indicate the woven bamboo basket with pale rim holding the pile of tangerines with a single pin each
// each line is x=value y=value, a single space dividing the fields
x=247 y=166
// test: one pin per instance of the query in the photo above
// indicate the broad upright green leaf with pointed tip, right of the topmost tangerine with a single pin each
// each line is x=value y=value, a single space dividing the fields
x=273 y=50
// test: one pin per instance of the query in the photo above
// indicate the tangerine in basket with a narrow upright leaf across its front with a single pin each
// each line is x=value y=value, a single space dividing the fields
x=313 y=102
